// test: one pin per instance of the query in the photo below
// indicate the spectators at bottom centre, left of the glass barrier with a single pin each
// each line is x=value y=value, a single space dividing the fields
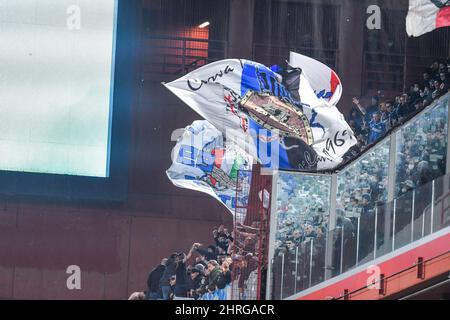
x=206 y=273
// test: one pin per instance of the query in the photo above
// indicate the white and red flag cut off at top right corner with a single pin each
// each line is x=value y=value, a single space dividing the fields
x=426 y=15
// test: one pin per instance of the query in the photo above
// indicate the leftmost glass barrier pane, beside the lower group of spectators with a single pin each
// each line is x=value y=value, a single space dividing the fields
x=302 y=209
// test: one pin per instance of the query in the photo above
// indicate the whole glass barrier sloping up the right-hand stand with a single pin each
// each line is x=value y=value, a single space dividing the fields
x=366 y=226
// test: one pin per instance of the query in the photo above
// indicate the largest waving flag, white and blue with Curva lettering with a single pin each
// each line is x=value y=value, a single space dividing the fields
x=278 y=120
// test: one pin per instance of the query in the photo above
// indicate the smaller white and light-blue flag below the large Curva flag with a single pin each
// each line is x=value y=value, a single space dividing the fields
x=202 y=161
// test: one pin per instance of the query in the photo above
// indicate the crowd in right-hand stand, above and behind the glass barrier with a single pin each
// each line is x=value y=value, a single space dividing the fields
x=302 y=207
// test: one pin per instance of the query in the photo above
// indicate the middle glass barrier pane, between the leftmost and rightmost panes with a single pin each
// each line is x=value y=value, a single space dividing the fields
x=361 y=186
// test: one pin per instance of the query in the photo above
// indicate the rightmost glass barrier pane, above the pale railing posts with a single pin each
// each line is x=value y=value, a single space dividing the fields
x=422 y=149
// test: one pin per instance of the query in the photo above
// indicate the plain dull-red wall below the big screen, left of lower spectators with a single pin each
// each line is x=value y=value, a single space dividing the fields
x=114 y=250
